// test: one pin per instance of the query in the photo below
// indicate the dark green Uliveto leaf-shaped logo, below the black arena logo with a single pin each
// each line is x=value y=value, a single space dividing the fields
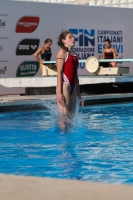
x=27 y=68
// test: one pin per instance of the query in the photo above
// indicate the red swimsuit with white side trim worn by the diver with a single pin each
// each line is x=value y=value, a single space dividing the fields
x=70 y=71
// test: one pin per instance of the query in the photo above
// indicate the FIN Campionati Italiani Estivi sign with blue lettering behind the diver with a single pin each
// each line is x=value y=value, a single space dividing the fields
x=90 y=40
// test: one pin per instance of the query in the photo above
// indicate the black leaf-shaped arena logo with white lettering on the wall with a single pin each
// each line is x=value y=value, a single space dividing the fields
x=27 y=47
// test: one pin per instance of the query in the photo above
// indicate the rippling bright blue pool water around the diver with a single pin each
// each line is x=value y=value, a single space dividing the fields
x=99 y=146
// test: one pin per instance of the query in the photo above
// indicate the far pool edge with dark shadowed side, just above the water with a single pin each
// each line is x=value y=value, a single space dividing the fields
x=40 y=101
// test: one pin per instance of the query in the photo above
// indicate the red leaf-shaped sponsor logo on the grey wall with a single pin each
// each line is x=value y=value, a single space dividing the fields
x=27 y=24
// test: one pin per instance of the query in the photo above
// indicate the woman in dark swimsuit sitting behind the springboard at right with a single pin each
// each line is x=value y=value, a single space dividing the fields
x=108 y=53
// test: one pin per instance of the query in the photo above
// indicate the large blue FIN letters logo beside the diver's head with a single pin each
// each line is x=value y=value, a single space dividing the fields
x=84 y=37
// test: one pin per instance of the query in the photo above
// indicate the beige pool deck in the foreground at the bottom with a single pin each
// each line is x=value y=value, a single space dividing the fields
x=26 y=188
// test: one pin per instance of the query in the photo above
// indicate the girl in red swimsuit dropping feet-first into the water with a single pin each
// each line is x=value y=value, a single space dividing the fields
x=67 y=78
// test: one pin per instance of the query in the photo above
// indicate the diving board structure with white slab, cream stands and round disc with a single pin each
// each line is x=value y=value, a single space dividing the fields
x=48 y=79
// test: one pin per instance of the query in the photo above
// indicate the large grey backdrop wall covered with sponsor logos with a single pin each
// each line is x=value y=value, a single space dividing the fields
x=30 y=23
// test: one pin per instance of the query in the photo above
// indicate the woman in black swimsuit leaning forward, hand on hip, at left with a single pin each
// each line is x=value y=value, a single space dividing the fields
x=44 y=52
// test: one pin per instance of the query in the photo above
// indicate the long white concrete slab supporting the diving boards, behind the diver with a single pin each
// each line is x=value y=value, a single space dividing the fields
x=51 y=81
